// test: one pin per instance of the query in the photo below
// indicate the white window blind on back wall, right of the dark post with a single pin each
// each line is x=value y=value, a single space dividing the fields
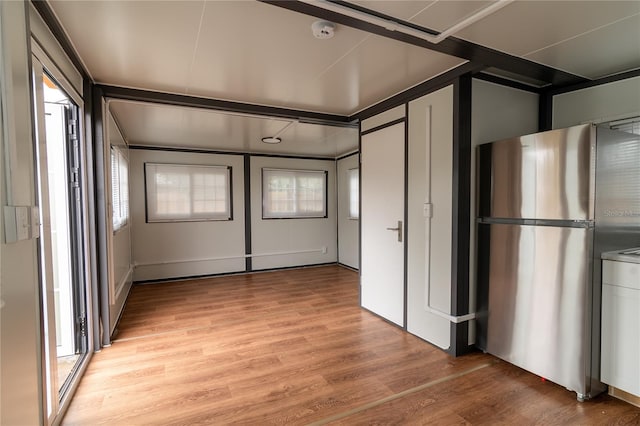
x=293 y=193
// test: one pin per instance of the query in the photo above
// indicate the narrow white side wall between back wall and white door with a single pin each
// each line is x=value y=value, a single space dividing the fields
x=348 y=229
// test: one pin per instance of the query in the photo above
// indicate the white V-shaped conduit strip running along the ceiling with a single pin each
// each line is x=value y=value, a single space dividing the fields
x=403 y=28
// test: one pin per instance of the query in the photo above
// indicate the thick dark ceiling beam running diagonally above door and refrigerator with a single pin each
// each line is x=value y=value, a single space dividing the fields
x=451 y=46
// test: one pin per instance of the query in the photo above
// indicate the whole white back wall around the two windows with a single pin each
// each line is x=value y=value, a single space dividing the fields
x=185 y=249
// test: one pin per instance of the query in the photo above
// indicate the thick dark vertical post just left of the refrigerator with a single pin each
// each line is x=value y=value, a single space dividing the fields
x=461 y=212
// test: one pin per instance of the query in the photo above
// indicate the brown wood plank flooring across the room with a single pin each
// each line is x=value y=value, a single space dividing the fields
x=293 y=347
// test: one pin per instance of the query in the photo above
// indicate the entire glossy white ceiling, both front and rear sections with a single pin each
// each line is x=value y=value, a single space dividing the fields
x=258 y=53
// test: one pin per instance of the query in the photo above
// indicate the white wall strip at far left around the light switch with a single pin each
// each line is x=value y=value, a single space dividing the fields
x=20 y=366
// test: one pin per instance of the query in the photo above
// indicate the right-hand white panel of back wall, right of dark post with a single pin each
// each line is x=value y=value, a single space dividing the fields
x=292 y=235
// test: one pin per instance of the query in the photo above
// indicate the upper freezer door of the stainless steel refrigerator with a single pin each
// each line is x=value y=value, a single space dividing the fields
x=548 y=176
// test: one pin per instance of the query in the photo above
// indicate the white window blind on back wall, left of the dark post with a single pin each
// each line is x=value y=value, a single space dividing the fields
x=182 y=192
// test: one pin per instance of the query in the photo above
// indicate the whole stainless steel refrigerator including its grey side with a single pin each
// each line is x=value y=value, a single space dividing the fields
x=549 y=205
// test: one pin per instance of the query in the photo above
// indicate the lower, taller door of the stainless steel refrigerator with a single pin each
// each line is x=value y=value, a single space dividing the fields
x=536 y=290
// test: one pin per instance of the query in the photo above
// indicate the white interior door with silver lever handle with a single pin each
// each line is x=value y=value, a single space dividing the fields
x=382 y=221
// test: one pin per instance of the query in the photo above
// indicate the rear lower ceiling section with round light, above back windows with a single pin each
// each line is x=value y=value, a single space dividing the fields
x=167 y=126
